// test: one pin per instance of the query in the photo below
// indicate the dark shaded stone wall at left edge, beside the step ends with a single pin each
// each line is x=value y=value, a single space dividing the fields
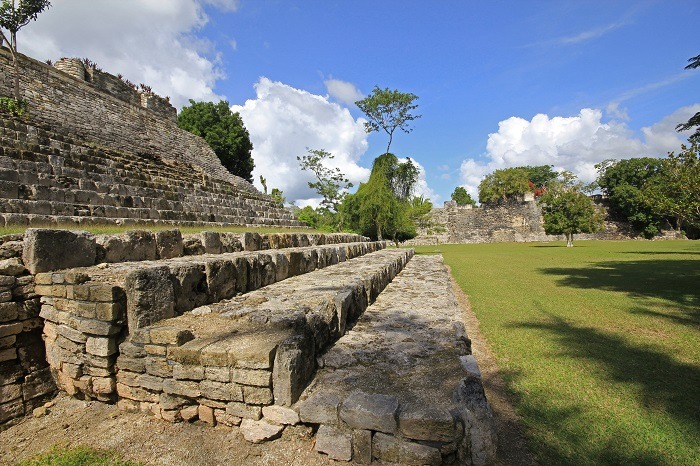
x=25 y=378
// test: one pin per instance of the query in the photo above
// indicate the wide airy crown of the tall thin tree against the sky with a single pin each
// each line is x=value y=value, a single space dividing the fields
x=388 y=110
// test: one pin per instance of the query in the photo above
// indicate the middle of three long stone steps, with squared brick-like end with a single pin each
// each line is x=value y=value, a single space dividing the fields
x=252 y=354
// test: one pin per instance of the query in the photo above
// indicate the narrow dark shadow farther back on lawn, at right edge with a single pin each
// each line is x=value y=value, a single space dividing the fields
x=677 y=281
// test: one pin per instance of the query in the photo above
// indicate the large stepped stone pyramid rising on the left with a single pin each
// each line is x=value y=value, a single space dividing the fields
x=96 y=151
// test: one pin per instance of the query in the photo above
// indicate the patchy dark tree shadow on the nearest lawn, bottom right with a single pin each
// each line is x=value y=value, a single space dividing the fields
x=661 y=384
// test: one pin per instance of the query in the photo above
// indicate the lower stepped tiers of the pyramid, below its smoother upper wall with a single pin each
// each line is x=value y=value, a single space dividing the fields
x=47 y=178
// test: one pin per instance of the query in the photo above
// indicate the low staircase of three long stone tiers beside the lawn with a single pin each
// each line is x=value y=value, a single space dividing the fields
x=364 y=344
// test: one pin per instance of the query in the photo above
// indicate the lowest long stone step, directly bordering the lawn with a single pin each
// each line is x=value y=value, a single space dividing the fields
x=401 y=386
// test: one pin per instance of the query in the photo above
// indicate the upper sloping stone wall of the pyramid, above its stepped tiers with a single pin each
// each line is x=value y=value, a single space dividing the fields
x=105 y=111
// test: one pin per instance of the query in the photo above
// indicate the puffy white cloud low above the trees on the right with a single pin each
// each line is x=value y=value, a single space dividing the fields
x=574 y=143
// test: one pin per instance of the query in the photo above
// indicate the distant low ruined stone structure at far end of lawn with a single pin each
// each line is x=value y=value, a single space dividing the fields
x=517 y=221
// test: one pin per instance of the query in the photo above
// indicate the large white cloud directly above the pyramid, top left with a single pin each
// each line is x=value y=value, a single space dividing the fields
x=151 y=42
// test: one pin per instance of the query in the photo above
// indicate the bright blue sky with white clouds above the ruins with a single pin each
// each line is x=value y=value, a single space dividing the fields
x=500 y=83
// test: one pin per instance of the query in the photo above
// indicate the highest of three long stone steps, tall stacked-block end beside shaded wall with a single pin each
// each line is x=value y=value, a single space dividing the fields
x=88 y=311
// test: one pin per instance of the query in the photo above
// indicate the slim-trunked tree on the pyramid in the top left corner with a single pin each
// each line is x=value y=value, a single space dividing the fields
x=14 y=15
